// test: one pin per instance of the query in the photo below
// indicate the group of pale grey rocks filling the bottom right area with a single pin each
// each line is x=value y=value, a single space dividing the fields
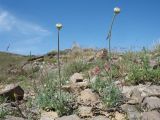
x=143 y=102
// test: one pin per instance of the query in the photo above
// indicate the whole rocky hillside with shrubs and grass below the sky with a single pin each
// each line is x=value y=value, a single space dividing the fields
x=90 y=87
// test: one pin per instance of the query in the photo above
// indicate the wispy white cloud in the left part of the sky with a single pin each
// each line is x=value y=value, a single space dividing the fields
x=21 y=32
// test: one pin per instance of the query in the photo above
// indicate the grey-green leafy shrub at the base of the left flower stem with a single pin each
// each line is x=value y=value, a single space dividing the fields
x=49 y=97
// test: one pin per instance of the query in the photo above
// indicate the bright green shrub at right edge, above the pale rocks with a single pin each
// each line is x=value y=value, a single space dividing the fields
x=141 y=73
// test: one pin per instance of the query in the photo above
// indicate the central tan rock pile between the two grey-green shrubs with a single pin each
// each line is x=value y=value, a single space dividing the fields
x=89 y=105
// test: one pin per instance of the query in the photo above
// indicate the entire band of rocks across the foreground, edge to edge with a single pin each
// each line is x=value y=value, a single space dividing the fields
x=143 y=103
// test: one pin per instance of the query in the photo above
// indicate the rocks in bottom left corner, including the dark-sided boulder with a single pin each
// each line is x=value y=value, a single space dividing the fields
x=14 y=103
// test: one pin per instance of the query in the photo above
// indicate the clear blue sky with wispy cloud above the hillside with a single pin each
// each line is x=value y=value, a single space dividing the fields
x=29 y=25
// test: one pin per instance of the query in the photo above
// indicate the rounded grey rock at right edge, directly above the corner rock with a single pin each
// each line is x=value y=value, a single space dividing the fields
x=151 y=103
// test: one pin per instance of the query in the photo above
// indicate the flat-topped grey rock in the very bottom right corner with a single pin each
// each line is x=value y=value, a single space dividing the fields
x=152 y=115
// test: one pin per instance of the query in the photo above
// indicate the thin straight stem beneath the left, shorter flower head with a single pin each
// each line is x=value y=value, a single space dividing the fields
x=59 y=67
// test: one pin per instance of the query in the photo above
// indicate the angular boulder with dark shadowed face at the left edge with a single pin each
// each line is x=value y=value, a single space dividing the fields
x=12 y=92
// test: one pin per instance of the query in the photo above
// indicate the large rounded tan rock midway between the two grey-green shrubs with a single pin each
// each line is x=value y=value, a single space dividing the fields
x=87 y=97
